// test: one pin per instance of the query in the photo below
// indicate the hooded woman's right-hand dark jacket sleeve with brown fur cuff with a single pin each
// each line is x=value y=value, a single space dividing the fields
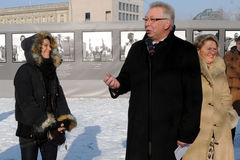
x=63 y=111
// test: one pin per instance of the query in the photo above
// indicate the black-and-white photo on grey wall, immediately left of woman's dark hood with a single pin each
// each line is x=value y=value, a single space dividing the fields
x=18 y=52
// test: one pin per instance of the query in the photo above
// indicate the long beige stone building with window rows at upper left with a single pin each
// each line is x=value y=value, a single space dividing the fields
x=47 y=13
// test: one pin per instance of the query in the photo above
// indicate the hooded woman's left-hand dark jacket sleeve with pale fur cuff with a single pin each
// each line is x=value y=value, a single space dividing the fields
x=28 y=111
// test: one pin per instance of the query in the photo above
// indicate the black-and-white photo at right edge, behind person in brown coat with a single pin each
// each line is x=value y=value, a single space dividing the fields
x=230 y=39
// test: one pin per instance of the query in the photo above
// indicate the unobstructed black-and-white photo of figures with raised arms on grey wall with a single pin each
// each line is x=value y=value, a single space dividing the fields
x=97 y=46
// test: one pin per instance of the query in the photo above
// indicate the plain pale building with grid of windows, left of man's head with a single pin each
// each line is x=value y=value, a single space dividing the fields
x=105 y=10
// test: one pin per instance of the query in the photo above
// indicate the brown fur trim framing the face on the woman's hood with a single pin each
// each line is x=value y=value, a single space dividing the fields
x=37 y=45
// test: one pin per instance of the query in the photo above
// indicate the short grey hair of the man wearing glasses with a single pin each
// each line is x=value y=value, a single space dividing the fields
x=168 y=11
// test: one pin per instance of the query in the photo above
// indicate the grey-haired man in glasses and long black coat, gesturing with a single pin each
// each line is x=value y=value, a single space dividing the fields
x=163 y=74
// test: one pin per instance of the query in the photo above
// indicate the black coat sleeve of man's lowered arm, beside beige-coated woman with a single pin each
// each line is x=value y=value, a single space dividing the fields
x=192 y=97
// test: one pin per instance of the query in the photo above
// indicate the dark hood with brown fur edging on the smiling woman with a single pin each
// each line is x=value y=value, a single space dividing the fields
x=32 y=49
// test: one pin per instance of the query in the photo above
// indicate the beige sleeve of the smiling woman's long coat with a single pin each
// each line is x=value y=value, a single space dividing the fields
x=226 y=100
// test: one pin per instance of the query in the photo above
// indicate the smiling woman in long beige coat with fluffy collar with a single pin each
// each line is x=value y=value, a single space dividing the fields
x=214 y=141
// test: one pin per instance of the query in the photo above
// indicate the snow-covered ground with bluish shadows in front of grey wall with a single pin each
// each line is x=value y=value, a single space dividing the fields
x=100 y=134
